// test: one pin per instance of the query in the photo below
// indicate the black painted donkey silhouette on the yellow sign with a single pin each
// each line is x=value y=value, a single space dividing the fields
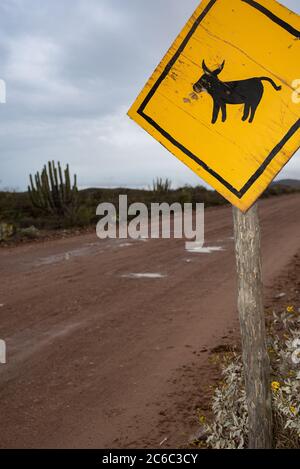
x=248 y=92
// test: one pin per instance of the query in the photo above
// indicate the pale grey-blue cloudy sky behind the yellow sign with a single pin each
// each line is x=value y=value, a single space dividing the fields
x=73 y=68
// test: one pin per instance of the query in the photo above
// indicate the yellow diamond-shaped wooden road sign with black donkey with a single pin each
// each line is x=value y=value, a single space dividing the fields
x=224 y=99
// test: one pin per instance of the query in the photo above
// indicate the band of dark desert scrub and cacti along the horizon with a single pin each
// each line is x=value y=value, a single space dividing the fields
x=52 y=202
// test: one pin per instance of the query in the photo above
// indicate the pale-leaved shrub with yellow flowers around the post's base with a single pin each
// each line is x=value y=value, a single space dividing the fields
x=229 y=426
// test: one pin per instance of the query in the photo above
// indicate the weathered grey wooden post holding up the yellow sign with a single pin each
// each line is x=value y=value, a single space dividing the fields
x=252 y=325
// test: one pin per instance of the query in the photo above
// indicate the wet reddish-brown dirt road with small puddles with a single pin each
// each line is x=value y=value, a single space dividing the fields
x=99 y=358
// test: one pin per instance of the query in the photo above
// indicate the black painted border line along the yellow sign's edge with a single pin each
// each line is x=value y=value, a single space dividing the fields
x=238 y=193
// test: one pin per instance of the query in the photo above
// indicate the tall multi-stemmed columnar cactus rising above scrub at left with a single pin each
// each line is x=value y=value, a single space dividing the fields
x=52 y=193
